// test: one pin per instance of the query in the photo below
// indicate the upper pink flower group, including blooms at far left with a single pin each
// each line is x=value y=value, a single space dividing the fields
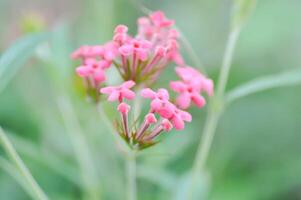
x=140 y=58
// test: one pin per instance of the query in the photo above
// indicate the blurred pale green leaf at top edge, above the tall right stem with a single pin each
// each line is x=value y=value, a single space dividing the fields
x=241 y=11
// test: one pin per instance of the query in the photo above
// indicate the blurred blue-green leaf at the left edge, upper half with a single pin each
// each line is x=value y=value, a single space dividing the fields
x=13 y=58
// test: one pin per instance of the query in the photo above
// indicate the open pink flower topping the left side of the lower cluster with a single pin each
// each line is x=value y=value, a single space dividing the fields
x=119 y=92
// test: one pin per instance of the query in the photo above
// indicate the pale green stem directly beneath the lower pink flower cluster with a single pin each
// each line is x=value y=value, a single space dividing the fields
x=131 y=175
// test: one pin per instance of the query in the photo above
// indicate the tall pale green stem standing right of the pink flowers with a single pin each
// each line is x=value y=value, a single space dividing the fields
x=214 y=113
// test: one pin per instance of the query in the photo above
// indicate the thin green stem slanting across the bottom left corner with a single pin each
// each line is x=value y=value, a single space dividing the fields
x=21 y=167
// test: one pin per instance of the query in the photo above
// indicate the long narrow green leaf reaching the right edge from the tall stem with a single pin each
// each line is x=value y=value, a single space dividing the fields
x=260 y=84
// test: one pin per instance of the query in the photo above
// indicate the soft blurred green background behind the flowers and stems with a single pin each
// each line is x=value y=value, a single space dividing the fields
x=256 y=151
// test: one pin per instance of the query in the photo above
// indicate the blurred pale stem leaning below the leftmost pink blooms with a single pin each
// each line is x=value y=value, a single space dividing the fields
x=80 y=146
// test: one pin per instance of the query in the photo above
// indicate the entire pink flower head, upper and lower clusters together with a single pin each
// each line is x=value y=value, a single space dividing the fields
x=139 y=61
